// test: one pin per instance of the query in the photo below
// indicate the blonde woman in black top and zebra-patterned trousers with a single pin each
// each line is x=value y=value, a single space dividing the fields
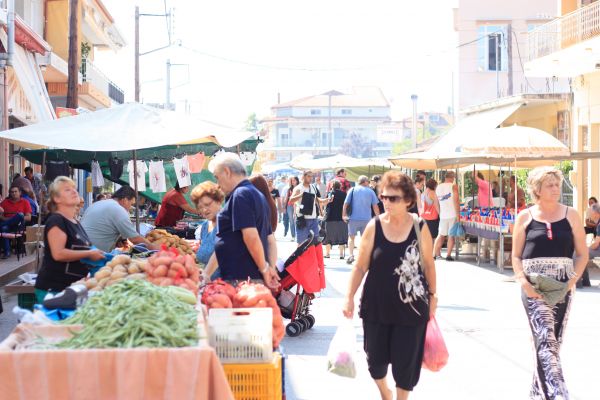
x=548 y=240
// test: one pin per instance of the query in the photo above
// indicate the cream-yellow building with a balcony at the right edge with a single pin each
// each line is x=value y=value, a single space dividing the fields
x=569 y=47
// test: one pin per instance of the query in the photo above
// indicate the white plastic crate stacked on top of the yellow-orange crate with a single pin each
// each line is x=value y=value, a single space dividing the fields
x=241 y=335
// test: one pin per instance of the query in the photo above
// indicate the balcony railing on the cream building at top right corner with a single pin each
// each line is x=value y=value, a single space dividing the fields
x=563 y=32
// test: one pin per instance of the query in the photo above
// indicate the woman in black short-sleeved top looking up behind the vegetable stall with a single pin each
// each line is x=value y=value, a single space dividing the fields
x=65 y=241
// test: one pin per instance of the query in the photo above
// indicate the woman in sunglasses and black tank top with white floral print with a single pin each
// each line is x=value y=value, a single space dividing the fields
x=399 y=294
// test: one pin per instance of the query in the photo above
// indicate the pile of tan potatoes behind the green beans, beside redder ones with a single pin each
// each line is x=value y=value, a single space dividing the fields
x=121 y=267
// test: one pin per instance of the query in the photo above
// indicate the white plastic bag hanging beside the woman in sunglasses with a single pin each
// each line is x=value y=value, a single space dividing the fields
x=342 y=351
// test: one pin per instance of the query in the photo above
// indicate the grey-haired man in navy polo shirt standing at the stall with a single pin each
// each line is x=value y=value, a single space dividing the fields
x=245 y=246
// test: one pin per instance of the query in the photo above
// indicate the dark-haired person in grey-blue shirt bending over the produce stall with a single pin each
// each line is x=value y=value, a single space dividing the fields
x=108 y=220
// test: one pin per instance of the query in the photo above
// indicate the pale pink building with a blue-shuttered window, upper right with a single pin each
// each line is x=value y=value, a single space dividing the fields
x=493 y=48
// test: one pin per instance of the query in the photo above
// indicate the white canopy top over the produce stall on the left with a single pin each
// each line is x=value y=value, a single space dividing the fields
x=125 y=127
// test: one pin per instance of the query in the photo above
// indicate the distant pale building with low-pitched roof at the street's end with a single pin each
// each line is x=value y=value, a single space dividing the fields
x=303 y=125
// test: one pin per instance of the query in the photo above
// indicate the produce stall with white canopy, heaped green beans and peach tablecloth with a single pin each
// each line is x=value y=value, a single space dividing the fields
x=134 y=327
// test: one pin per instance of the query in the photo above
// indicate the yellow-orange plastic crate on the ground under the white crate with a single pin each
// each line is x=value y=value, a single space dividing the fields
x=255 y=381
